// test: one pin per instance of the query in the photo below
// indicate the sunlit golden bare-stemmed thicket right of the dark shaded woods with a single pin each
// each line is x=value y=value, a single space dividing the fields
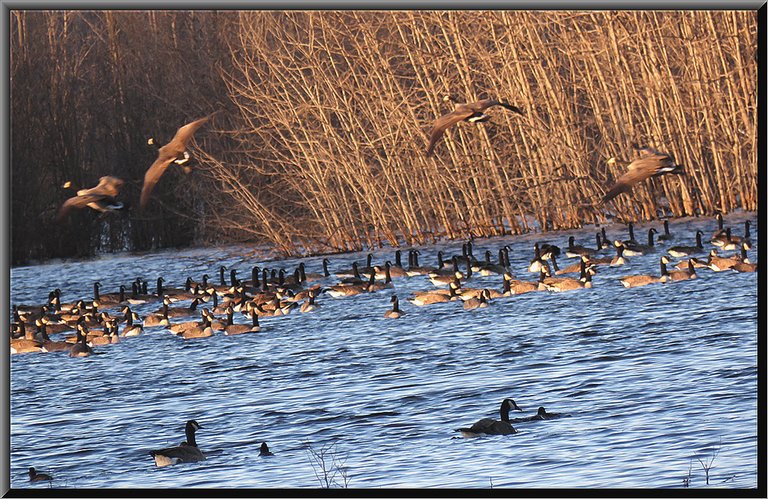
x=334 y=107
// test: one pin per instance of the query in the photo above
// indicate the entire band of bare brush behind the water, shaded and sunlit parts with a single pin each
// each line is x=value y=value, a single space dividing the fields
x=321 y=145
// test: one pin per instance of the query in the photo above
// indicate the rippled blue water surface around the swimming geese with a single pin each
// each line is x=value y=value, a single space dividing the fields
x=651 y=377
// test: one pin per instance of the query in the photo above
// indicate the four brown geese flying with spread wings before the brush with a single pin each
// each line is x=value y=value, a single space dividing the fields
x=103 y=197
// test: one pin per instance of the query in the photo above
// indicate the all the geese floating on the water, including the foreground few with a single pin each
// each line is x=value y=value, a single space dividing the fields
x=107 y=318
